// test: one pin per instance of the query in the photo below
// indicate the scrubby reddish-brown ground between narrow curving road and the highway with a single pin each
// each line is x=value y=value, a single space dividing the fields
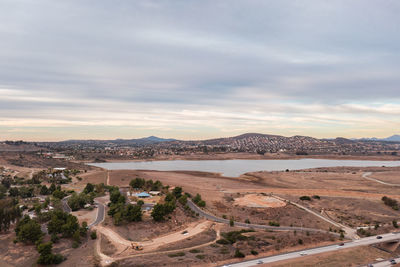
x=265 y=243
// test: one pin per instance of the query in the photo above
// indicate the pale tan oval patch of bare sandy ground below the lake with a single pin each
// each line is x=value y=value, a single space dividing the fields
x=258 y=201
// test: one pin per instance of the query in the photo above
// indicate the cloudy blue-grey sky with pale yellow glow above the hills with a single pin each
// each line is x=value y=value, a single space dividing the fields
x=97 y=69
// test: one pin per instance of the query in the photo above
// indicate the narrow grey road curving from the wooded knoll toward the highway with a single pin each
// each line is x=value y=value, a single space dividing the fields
x=211 y=217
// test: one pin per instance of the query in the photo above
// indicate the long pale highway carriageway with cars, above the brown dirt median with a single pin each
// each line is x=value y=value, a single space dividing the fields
x=298 y=254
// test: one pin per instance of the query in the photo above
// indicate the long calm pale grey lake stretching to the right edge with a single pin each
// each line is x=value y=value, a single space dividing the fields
x=234 y=168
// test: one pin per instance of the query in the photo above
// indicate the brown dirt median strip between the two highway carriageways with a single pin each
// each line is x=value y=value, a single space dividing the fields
x=346 y=257
